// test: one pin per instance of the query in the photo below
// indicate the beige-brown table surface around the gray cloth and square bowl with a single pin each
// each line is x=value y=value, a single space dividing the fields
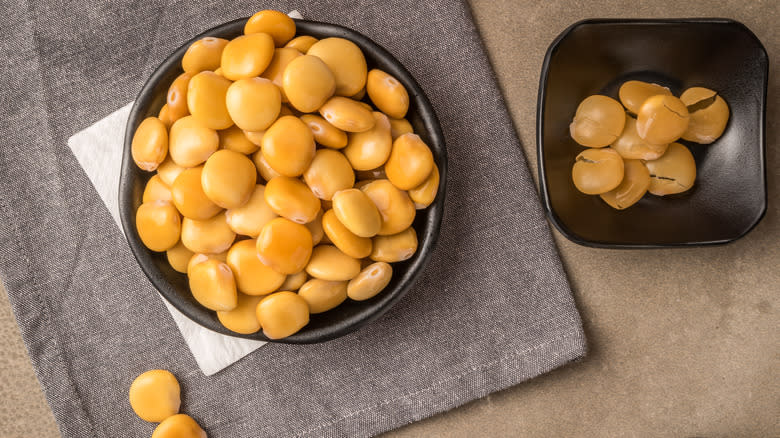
x=683 y=342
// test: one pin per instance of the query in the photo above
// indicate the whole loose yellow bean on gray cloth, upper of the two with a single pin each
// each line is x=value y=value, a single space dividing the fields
x=155 y=395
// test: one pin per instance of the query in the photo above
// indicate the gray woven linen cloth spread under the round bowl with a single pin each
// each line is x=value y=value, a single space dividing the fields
x=492 y=309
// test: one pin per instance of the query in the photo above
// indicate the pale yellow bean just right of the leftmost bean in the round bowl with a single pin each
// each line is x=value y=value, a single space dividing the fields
x=192 y=142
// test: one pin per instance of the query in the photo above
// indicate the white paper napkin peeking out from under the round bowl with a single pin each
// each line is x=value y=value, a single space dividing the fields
x=98 y=149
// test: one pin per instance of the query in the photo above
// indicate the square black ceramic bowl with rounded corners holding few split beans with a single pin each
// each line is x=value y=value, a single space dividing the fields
x=595 y=57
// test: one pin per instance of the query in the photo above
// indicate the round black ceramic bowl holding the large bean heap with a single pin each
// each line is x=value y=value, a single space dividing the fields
x=351 y=314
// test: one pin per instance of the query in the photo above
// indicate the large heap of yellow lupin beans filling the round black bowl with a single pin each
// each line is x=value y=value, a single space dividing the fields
x=287 y=178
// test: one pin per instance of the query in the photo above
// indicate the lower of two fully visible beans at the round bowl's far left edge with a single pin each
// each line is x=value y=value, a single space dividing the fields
x=159 y=225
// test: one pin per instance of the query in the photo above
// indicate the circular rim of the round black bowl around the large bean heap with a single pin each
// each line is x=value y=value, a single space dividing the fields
x=428 y=238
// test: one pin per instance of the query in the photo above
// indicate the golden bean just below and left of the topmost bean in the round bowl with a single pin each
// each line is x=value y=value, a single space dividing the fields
x=247 y=56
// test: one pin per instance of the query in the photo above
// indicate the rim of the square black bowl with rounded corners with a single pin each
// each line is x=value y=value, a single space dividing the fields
x=574 y=237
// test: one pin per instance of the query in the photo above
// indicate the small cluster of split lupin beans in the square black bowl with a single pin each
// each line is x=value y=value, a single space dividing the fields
x=633 y=145
